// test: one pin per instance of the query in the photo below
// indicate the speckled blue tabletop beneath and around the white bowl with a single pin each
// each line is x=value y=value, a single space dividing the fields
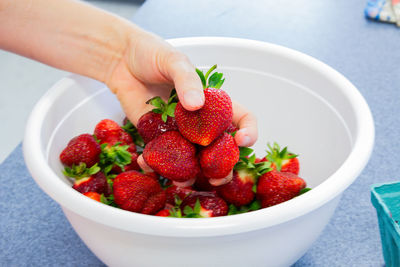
x=33 y=229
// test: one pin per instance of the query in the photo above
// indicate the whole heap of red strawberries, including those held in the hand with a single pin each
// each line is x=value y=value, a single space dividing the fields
x=190 y=153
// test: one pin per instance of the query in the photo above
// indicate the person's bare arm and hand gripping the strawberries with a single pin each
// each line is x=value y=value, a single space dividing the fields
x=136 y=65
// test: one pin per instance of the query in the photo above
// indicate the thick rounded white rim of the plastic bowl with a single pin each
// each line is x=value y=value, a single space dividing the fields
x=332 y=187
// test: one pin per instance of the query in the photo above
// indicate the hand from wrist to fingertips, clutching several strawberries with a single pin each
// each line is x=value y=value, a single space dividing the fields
x=151 y=67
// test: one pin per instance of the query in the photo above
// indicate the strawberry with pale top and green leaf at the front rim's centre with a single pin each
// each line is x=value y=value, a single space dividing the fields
x=204 y=204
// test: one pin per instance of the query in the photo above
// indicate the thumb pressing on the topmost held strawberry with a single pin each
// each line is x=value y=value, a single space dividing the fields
x=187 y=82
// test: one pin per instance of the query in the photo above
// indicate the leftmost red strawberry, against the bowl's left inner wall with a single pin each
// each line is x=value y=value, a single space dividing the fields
x=81 y=149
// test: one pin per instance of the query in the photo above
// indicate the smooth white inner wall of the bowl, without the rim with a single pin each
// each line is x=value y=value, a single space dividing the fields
x=291 y=111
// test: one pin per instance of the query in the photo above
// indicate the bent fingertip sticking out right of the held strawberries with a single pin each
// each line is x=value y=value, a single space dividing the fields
x=247 y=124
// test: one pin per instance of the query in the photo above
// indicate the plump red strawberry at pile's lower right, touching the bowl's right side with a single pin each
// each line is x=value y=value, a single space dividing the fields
x=275 y=187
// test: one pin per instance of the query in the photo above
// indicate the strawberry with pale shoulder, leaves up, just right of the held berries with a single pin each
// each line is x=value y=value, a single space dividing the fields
x=240 y=191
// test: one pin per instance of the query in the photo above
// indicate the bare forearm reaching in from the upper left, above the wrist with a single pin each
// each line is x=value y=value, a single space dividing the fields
x=66 y=34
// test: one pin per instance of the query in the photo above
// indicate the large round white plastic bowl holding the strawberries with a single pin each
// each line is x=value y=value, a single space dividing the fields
x=299 y=102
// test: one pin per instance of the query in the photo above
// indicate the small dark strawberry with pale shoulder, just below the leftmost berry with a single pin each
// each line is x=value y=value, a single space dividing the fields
x=94 y=183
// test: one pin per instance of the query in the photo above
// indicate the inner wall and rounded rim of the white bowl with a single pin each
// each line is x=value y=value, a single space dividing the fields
x=299 y=102
